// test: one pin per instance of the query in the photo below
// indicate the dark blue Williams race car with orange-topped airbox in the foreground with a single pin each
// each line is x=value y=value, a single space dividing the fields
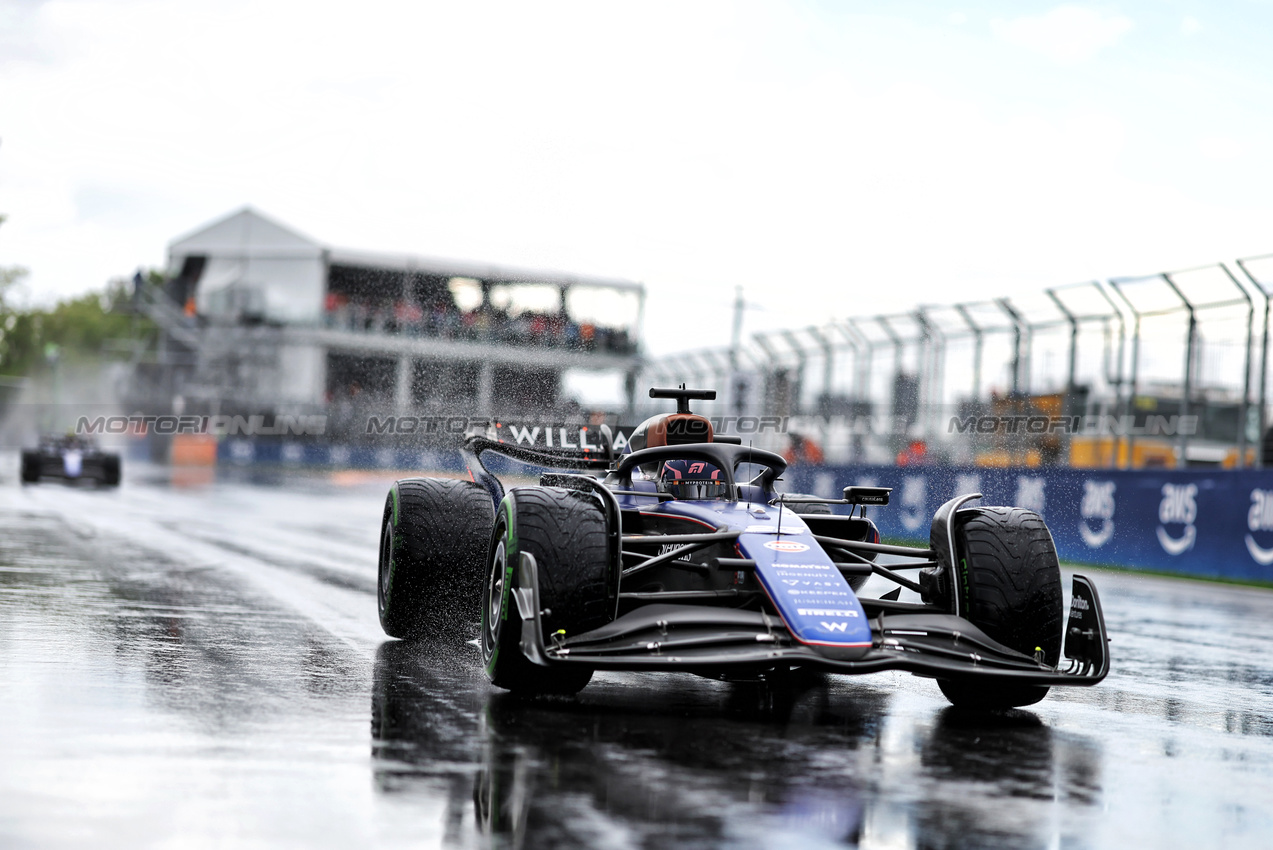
x=683 y=557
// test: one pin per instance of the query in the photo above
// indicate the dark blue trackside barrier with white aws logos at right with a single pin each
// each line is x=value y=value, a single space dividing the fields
x=1206 y=524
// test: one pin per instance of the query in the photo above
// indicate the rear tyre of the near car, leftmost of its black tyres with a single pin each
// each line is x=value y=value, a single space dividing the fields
x=433 y=552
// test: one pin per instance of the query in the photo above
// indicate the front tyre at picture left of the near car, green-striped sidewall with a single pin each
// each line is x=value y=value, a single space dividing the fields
x=566 y=533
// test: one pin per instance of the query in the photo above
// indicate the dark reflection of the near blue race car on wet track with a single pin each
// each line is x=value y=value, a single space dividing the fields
x=689 y=764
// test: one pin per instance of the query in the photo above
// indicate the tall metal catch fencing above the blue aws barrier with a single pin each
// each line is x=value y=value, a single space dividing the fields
x=1193 y=342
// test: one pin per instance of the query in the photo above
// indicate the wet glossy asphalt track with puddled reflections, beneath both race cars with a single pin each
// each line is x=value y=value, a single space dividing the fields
x=203 y=666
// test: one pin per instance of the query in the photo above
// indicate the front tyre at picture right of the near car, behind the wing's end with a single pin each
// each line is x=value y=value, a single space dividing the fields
x=1009 y=582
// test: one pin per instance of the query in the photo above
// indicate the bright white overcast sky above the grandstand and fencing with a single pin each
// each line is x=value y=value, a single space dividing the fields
x=829 y=157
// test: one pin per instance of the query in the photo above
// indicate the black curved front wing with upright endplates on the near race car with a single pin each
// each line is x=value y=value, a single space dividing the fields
x=705 y=639
